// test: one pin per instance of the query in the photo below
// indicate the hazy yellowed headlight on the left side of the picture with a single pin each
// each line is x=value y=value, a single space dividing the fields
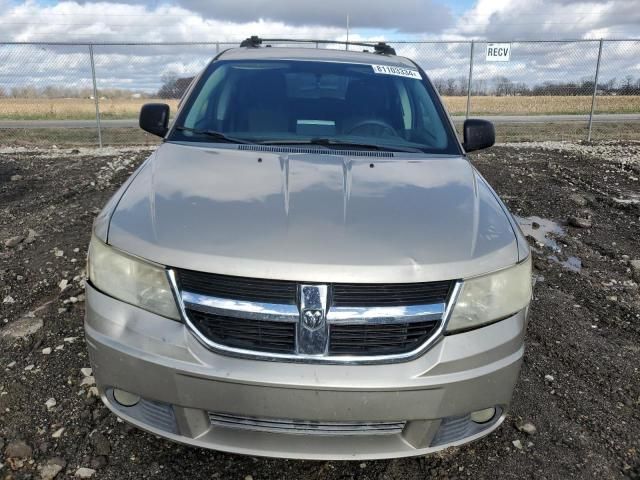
x=131 y=280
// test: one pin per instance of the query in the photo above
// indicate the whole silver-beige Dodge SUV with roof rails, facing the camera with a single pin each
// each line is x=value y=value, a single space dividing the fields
x=308 y=266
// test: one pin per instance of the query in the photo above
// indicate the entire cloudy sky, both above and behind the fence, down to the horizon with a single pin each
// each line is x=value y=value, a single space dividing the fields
x=141 y=68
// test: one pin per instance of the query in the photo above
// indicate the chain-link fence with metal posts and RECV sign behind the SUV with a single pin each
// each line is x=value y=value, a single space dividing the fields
x=92 y=93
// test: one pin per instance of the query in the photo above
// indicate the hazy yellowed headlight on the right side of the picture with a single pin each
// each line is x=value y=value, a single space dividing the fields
x=492 y=297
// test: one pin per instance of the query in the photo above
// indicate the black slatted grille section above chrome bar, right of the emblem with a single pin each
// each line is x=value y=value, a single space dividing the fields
x=389 y=294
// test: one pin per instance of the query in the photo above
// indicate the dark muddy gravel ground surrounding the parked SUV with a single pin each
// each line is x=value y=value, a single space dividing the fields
x=579 y=385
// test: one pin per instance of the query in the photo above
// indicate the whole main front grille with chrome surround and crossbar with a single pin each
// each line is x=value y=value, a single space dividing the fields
x=355 y=320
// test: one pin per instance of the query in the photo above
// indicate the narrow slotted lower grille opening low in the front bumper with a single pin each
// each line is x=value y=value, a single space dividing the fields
x=305 y=427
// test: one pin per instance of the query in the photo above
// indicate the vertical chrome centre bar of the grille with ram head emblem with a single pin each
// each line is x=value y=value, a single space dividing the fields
x=312 y=327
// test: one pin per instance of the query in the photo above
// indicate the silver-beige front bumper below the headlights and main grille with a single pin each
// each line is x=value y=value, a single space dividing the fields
x=183 y=386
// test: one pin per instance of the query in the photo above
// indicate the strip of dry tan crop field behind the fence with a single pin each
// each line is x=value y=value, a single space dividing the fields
x=79 y=109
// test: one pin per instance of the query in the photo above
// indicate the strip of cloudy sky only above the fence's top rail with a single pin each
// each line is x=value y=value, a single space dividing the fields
x=189 y=20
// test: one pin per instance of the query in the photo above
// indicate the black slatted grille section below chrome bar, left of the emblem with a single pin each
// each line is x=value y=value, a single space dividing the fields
x=257 y=335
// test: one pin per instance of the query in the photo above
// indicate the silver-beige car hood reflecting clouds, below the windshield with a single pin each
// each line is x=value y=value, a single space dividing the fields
x=313 y=216
